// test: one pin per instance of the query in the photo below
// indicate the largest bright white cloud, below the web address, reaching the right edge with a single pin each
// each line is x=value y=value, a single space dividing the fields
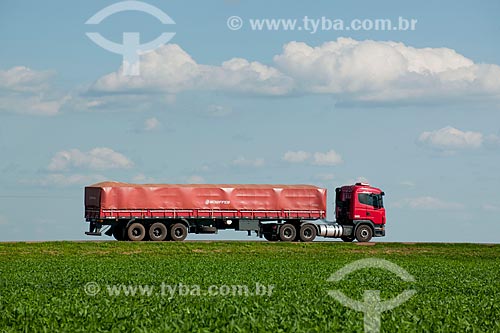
x=386 y=71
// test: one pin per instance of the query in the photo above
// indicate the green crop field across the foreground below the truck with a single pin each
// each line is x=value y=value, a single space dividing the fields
x=246 y=287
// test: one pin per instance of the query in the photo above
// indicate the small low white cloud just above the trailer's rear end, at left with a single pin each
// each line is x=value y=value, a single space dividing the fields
x=98 y=159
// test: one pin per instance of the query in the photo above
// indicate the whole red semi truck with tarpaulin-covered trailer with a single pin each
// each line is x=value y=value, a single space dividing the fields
x=161 y=212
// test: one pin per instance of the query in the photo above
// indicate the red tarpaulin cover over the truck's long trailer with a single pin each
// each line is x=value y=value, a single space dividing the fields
x=113 y=195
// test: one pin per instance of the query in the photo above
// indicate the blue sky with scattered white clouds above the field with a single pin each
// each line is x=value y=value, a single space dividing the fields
x=415 y=113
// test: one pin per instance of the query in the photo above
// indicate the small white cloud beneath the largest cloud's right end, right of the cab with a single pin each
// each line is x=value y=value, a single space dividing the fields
x=449 y=138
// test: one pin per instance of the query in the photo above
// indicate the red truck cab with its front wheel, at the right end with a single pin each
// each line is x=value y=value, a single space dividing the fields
x=360 y=205
